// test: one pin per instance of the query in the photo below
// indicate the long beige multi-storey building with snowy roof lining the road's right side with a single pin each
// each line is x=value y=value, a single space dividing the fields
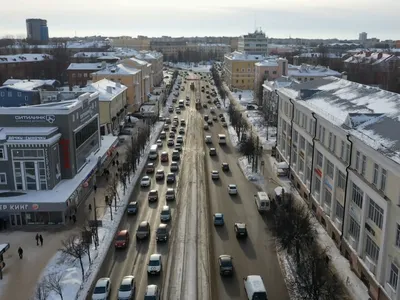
x=341 y=140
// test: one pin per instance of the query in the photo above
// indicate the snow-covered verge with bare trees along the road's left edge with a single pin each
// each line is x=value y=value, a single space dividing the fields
x=73 y=286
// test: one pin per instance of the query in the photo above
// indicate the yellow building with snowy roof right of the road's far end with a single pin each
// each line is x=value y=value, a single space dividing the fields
x=239 y=70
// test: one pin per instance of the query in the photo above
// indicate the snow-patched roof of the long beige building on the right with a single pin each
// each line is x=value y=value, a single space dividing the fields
x=368 y=113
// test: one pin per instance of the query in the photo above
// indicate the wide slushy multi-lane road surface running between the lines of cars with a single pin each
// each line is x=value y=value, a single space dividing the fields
x=190 y=267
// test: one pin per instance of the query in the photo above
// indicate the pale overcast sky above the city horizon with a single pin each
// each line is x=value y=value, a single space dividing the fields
x=342 y=19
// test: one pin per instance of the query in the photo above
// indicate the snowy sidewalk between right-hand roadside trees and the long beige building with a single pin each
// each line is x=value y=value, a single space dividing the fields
x=355 y=287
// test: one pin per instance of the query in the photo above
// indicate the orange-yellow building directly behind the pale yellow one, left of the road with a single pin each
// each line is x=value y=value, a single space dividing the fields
x=129 y=77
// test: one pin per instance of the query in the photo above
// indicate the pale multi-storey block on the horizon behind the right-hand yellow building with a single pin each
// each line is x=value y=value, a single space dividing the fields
x=253 y=43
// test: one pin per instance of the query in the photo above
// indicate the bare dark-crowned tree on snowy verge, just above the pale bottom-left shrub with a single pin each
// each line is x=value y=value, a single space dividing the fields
x=74 y=249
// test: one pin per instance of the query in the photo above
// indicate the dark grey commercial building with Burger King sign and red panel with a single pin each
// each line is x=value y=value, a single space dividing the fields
x=49 y=154
